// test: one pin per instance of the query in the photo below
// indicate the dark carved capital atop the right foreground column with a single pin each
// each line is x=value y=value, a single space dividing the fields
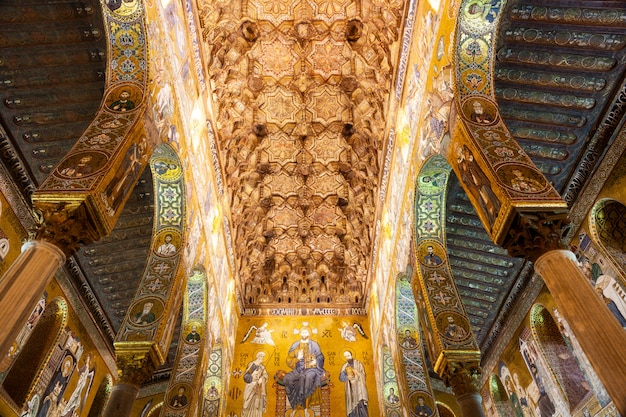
x=533 y=234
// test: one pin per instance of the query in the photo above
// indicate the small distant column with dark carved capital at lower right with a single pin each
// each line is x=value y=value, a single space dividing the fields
x=464 y=379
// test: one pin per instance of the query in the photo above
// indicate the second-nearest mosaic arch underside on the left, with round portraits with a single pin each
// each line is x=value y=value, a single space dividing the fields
x=151 y=318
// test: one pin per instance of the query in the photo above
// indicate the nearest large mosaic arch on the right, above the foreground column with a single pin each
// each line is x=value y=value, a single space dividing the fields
x=481 y=144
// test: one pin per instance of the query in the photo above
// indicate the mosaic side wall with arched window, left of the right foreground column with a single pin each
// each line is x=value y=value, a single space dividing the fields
x=542 y=372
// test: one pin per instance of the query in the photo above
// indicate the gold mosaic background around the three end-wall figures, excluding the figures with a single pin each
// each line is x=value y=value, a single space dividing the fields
x=274 y=336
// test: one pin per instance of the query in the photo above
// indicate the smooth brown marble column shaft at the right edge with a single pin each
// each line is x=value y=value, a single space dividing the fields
x=599 y=333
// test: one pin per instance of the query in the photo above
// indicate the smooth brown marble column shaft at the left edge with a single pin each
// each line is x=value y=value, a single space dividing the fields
x=22 y=285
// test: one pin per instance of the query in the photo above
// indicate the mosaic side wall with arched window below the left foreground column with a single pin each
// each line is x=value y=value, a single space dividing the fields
x=55 y=369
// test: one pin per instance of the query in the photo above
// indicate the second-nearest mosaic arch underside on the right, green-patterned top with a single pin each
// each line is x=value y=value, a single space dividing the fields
x=442 y=299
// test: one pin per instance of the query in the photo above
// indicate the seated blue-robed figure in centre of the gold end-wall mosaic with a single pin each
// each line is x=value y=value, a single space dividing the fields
x=306 y=360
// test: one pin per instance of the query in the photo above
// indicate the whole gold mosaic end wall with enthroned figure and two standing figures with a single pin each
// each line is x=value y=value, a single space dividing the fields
x=310 y=366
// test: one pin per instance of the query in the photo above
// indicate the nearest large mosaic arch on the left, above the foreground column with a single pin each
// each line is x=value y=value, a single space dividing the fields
x=93 y=180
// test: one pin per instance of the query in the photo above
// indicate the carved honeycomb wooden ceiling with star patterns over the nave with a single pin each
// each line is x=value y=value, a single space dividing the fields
x=300 y=92
